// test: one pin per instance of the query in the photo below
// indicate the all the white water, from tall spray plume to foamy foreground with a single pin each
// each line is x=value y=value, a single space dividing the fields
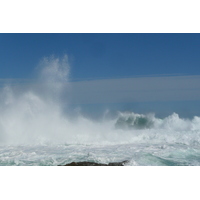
x=34 y=129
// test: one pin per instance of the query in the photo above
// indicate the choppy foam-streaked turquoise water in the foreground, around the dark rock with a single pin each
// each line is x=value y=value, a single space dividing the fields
x=136 y=154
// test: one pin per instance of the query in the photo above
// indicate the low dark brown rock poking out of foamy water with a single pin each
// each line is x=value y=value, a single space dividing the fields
x=95 y=164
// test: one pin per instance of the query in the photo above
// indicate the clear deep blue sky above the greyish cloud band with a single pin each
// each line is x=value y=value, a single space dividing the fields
x=102 y=55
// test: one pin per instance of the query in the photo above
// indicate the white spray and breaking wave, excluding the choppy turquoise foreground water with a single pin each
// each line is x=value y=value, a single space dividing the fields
x=34 y=115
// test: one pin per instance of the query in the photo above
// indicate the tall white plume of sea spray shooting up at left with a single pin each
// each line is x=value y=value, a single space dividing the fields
x=33 y=113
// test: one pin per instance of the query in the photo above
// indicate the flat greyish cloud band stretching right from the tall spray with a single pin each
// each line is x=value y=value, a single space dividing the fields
x=126 y=90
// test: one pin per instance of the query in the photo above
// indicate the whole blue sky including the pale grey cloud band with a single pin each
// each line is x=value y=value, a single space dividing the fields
x=106 y=57
